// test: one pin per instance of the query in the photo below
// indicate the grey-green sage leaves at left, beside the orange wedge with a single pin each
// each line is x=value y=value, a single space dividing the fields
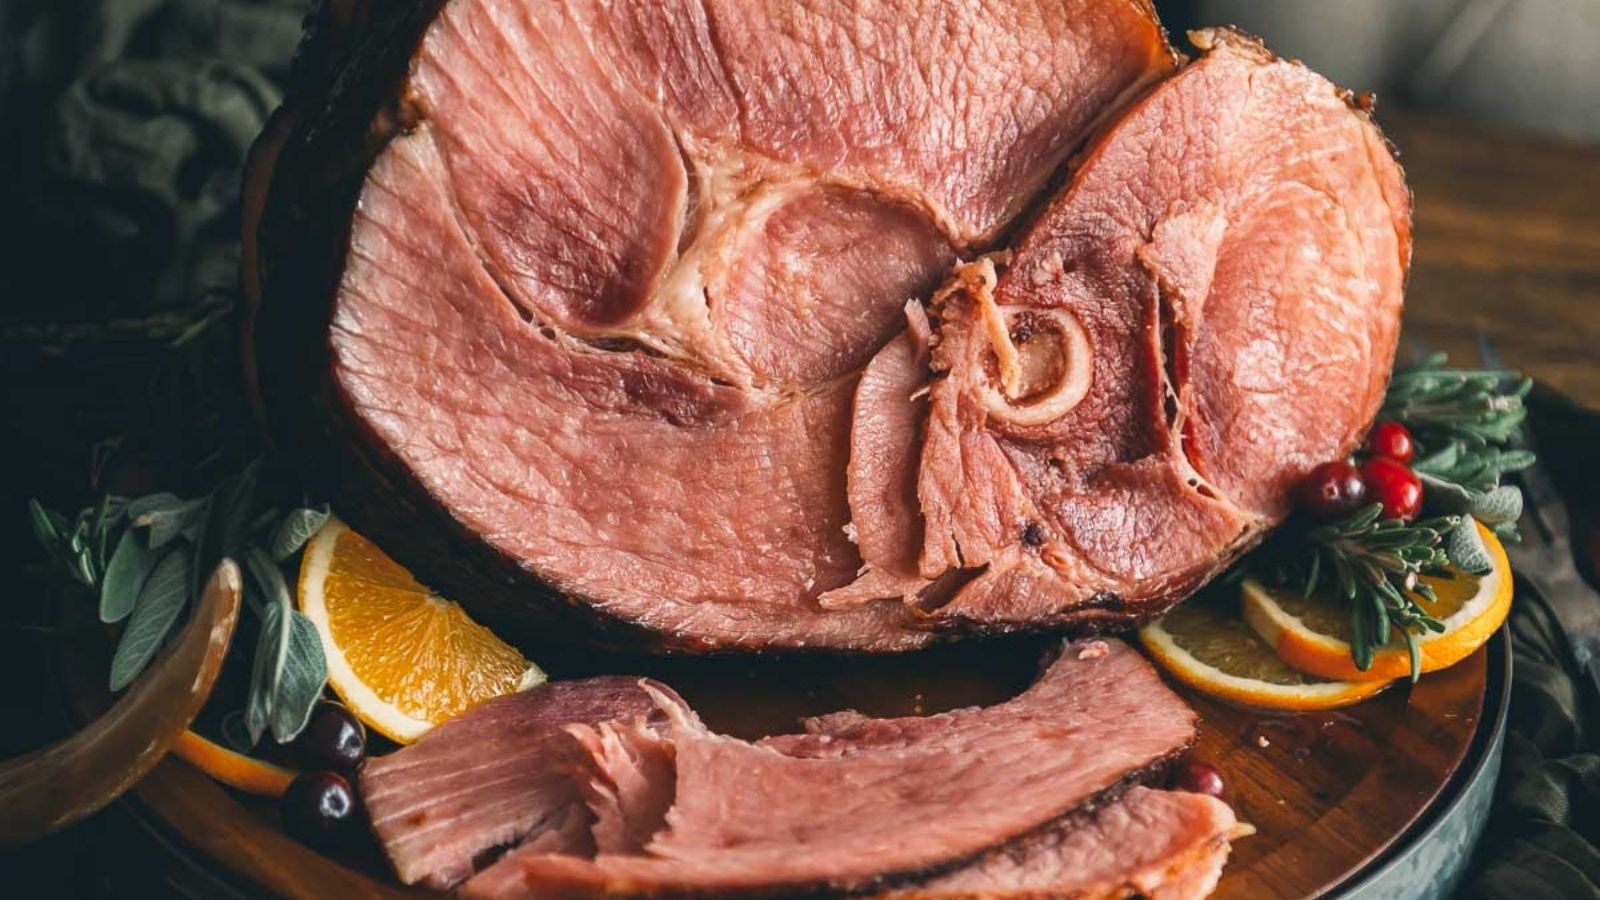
x=150 y=558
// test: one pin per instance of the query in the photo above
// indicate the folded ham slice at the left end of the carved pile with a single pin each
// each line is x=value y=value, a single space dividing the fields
x=494 y=779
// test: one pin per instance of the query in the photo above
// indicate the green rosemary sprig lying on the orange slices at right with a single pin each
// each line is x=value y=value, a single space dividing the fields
x=1374 y=566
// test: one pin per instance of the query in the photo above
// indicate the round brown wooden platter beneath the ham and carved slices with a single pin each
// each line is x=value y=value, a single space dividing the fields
x=1332 y=795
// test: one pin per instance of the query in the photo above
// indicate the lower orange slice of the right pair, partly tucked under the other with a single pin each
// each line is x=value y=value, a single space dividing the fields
x=1207 y=646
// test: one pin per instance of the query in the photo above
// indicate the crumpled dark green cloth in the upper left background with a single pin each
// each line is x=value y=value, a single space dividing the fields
x=138 y=116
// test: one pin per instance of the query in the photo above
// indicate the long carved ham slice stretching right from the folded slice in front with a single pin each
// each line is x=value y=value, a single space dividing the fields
x=855 y=802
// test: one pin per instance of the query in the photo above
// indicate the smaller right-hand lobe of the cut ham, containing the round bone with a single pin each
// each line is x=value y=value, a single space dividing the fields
x=1121 y=406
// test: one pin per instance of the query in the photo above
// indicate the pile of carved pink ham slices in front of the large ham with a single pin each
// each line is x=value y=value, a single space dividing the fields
x=1020 y=797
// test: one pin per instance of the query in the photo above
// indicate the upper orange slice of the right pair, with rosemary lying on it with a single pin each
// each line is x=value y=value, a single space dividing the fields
x=1313 y=633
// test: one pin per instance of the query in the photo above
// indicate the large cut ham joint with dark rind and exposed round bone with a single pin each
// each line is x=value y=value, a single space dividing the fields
x=625 y=321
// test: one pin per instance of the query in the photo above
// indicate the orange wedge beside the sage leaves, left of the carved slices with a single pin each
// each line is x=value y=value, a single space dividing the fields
x=399 y=656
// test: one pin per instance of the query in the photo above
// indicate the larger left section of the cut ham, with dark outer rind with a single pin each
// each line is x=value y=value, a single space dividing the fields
x=567 y=303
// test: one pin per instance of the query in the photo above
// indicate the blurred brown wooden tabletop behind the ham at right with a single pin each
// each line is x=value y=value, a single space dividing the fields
x=1508 y=244
